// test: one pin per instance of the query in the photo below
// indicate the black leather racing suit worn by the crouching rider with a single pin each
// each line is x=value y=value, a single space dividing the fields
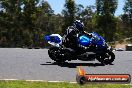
x=70 y=38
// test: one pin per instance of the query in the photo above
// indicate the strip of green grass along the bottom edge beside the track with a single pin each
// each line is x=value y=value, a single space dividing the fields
x=25 y=84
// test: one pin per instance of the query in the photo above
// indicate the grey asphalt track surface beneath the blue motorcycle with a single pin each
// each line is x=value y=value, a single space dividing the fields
x=35 y=64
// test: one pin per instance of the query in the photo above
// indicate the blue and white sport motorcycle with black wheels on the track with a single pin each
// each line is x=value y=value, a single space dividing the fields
x=90 y=49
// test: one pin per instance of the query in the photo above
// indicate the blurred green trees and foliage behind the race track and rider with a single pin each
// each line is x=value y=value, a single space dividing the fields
x=24 y=23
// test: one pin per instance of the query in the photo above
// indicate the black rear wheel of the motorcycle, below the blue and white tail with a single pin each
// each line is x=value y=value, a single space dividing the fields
x=56 y=54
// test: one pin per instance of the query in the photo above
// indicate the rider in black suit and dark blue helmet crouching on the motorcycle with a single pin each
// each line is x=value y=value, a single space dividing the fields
x=71 y=34
